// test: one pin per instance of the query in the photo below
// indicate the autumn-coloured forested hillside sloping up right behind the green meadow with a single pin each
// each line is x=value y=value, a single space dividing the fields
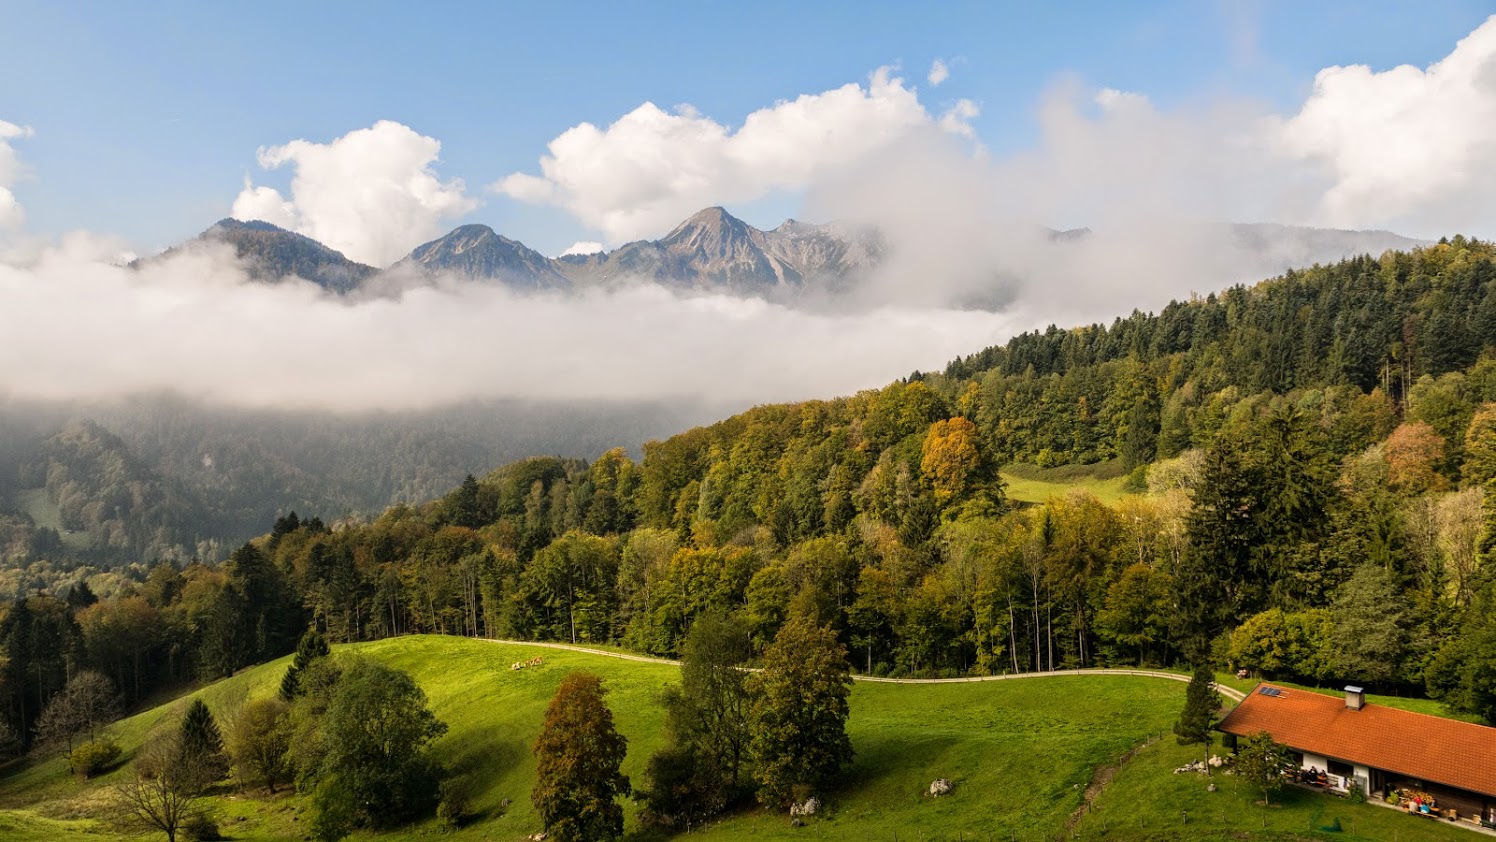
x=1313 y=457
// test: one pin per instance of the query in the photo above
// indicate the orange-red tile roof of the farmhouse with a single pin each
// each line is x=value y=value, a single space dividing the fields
x=1417 y=746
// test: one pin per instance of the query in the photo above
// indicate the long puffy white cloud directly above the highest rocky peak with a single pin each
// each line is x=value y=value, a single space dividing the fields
x=652 y=168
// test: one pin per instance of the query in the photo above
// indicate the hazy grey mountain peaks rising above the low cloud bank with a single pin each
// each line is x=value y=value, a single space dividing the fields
x=710 y=252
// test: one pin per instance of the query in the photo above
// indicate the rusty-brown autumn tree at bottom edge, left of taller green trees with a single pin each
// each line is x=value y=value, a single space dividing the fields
x=578 y=760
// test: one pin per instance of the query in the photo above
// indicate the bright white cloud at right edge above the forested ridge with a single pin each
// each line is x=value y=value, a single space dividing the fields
x=1405 y=147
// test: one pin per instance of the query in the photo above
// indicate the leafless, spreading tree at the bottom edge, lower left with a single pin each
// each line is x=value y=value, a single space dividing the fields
x=164 y=790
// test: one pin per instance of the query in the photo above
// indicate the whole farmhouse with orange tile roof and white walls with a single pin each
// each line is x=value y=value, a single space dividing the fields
x=1380 y=750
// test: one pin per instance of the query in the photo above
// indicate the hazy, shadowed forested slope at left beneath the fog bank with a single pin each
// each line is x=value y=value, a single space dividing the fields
x=129 y=484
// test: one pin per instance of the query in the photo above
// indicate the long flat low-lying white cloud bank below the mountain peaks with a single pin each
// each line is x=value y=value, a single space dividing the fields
x=192 y=324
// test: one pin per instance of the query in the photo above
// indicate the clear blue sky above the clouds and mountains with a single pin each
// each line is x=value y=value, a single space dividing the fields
x=149 y=119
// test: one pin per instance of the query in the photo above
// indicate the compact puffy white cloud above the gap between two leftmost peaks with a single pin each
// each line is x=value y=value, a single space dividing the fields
x=372 y=194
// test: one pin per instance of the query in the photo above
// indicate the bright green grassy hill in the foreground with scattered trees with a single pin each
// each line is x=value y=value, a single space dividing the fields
x=1023 y=756
